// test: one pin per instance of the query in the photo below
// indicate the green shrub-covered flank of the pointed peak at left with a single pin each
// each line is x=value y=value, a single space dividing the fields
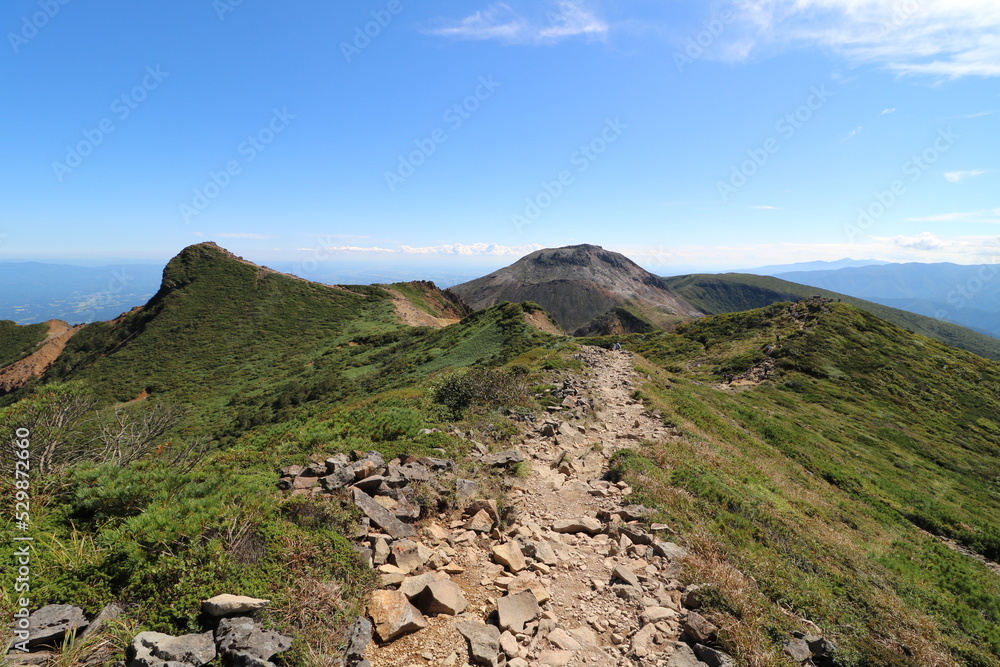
x=225 y=338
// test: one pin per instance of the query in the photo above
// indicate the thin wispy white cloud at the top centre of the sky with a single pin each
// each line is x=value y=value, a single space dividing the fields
x=500 y=21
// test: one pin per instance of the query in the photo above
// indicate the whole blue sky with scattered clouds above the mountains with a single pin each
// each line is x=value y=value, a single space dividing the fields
x=681 y=133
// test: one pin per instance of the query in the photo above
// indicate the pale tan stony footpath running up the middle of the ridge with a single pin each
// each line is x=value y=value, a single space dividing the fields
x=572 y=579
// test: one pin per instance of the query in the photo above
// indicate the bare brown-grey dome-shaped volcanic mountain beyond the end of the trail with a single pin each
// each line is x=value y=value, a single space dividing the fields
x=585 y=288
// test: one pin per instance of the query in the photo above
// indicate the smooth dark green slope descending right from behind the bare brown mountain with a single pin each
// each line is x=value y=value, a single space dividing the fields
x=734 y=292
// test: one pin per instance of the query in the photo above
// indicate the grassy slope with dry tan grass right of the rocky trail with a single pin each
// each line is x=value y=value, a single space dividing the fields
x=818 y=486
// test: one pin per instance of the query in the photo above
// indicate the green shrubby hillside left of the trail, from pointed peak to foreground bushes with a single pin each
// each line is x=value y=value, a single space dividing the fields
x=162 y=538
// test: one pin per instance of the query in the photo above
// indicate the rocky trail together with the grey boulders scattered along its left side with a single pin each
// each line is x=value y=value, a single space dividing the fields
x=560 y=571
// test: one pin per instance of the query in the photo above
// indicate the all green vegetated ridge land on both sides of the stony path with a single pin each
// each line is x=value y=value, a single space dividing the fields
x=822 y=455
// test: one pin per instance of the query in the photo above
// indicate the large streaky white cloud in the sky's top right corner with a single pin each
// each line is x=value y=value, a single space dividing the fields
x=940 y=38
